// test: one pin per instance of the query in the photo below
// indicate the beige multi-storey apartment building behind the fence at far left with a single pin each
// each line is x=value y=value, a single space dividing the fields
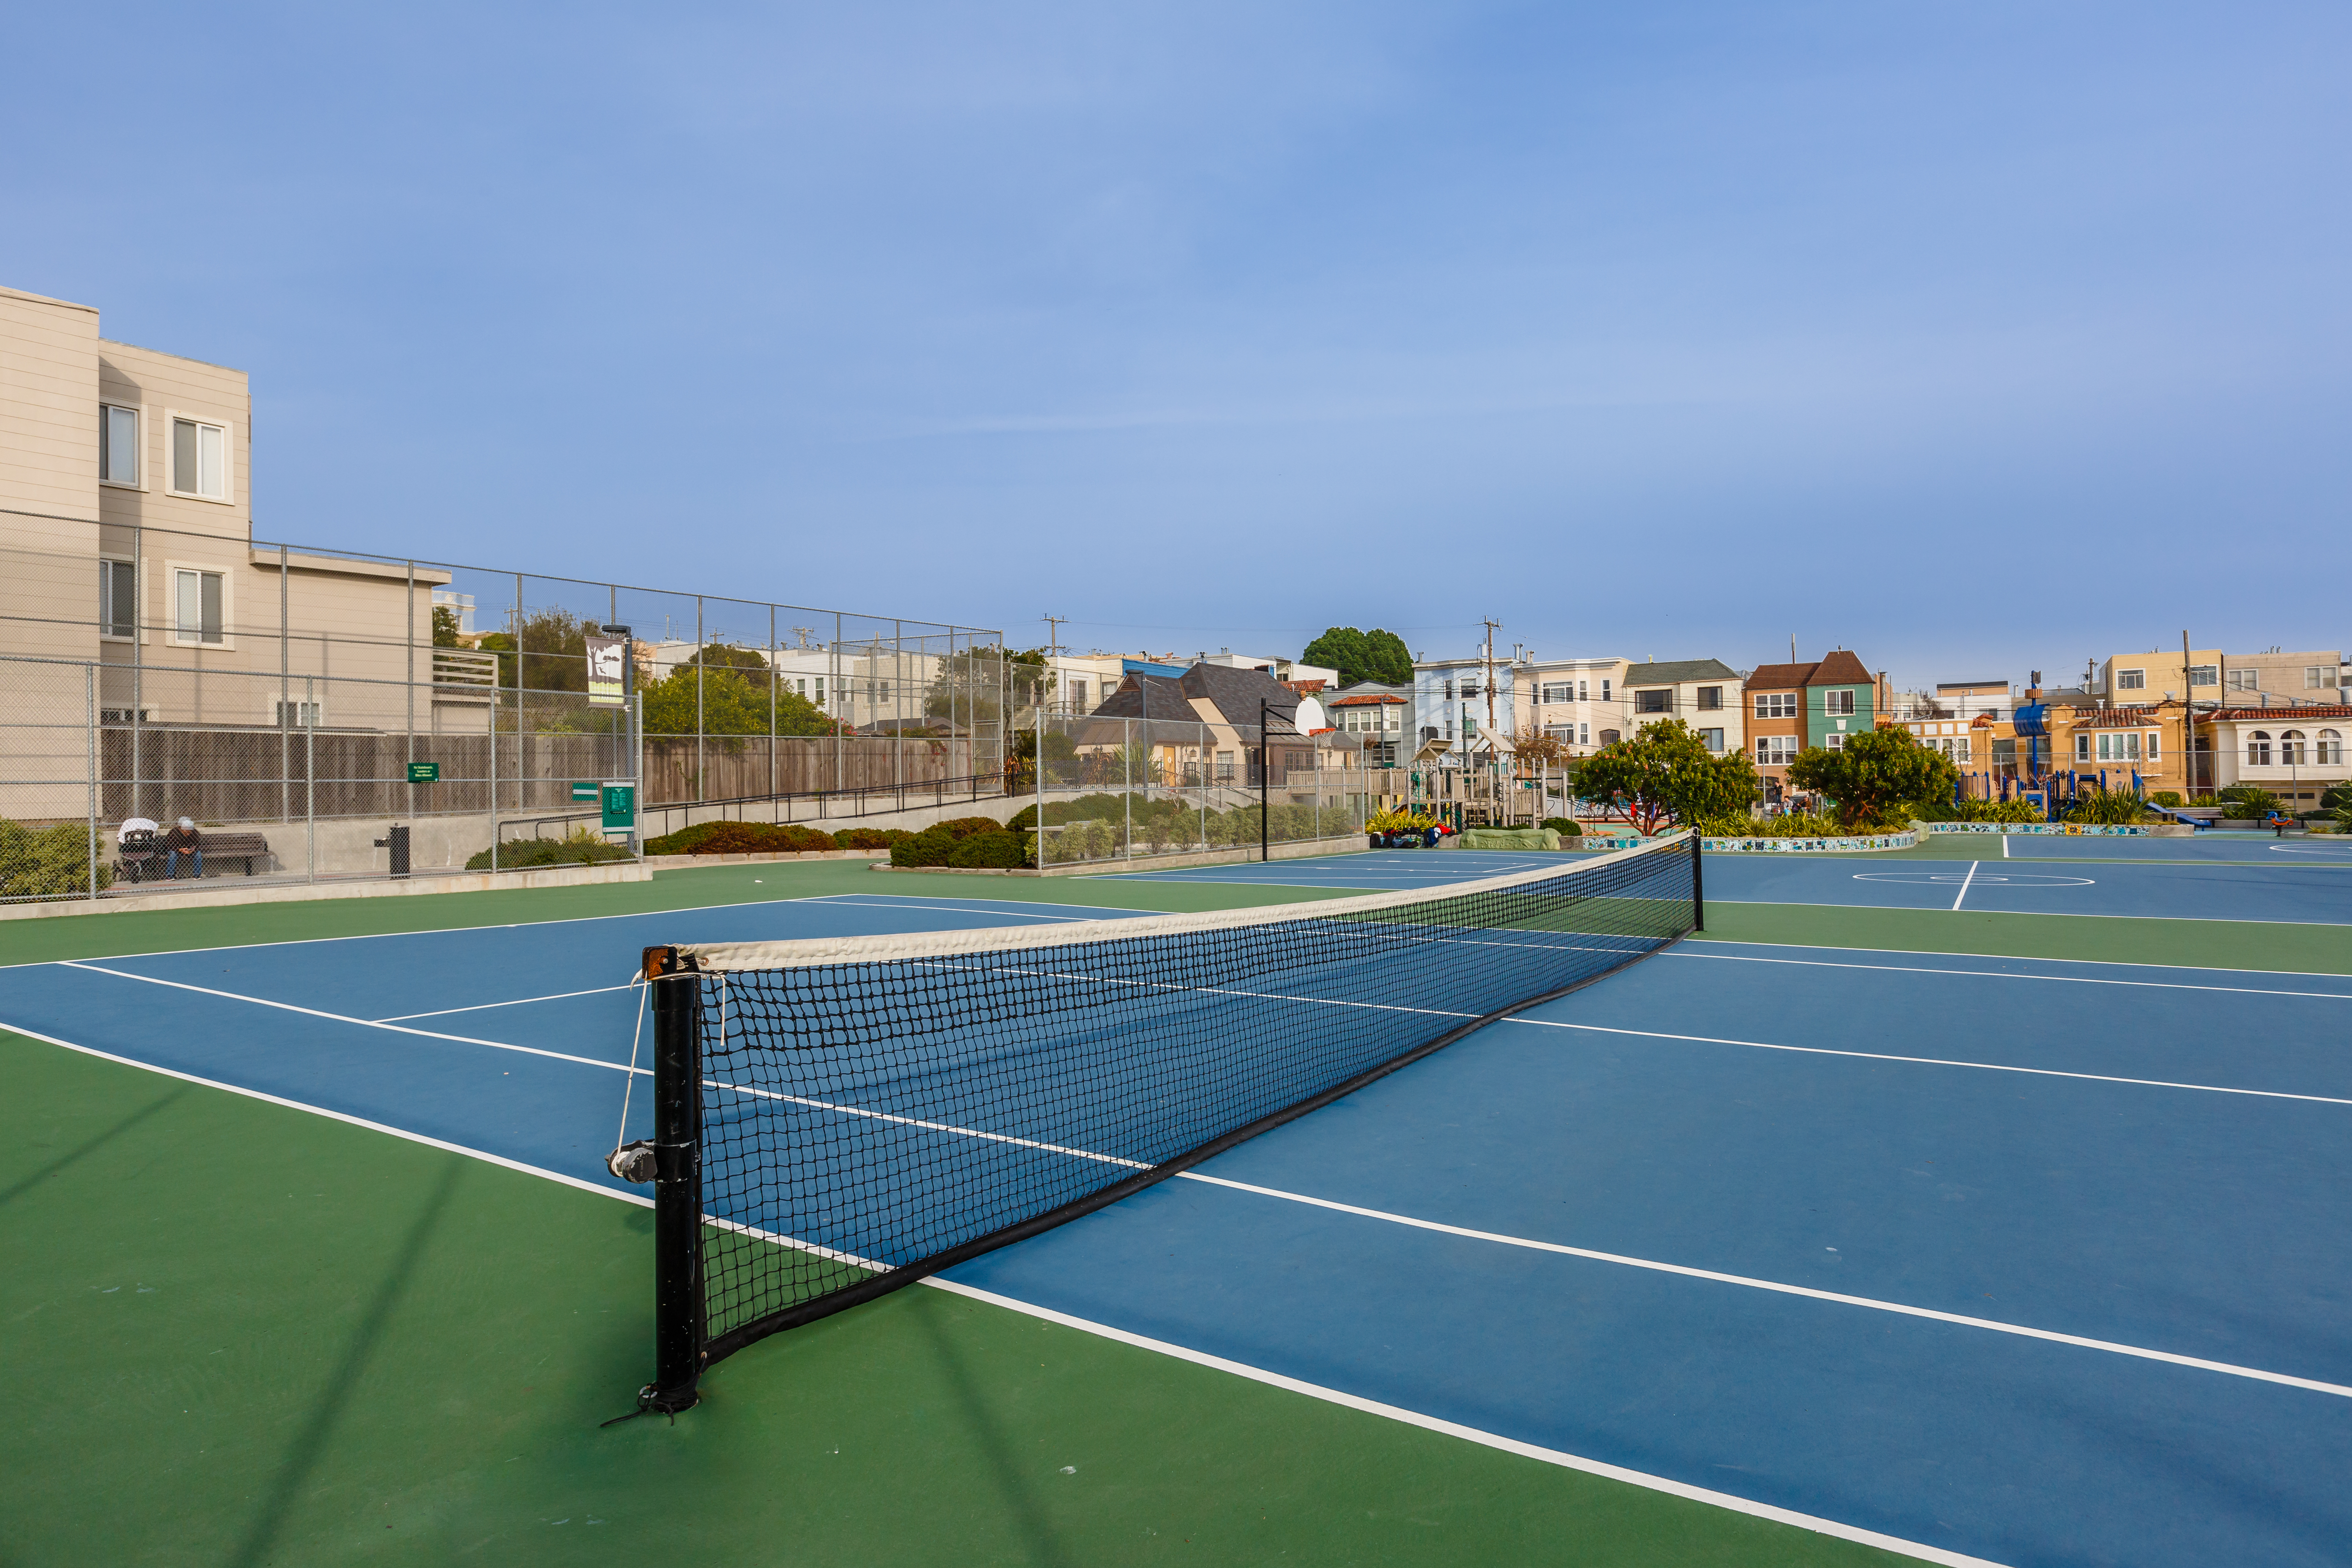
x=128 y=540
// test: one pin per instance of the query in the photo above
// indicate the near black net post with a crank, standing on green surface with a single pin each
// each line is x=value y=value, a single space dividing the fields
x=679 y=1184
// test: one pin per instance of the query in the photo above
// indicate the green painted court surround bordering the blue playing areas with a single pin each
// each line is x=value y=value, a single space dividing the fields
x=246 y=1334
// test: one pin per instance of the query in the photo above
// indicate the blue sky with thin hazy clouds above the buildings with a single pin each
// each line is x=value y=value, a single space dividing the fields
x=1972 y=337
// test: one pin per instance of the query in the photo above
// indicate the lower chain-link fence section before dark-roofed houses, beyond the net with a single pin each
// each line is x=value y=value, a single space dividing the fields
x=1142 y=789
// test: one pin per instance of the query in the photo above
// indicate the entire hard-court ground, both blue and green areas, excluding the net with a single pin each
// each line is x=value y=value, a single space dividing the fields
x=1777 y=1249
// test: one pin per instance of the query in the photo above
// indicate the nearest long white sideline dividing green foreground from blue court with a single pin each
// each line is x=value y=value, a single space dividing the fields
x=1180 y=1353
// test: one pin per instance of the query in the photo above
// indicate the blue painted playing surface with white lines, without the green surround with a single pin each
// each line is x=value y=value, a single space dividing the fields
x=2024 y=1261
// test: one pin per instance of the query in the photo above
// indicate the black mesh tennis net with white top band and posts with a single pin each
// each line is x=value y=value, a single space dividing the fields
x=843 y=1118
